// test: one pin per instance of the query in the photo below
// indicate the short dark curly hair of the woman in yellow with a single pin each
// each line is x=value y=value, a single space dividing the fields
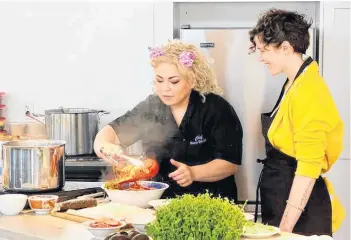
x=276 y=26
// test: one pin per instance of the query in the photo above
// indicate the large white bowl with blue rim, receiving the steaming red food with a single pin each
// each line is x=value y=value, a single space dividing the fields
x=137 y=198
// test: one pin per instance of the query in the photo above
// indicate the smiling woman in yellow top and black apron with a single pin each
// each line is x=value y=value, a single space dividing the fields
x=303 y=132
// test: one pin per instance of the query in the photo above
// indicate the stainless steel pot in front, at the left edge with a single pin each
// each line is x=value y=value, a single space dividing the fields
x=33 y=165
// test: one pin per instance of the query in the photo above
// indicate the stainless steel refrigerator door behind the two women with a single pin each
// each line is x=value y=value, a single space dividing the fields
x=248 y=87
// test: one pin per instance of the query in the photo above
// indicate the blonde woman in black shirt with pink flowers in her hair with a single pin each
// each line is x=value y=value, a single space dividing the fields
x=194 y=133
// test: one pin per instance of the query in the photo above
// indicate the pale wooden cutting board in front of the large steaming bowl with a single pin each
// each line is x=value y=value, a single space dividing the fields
x=110 y=209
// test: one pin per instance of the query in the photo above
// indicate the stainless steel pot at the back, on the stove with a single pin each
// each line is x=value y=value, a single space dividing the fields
x=77 y=126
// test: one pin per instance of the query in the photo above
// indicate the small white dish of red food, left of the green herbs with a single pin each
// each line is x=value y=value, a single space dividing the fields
x=103 y=231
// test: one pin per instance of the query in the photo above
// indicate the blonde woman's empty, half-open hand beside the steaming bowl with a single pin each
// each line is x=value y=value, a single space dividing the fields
x=183 y=175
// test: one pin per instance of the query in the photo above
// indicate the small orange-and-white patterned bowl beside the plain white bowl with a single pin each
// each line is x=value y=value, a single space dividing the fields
x=42 y=204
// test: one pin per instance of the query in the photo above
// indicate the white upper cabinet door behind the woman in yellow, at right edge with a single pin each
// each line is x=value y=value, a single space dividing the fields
x=336 y=60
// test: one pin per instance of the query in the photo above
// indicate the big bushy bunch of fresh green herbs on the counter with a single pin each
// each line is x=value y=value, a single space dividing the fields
x=200 y=217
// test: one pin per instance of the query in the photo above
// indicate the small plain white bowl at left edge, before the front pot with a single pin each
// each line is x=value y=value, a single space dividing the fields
x=12 y=204
